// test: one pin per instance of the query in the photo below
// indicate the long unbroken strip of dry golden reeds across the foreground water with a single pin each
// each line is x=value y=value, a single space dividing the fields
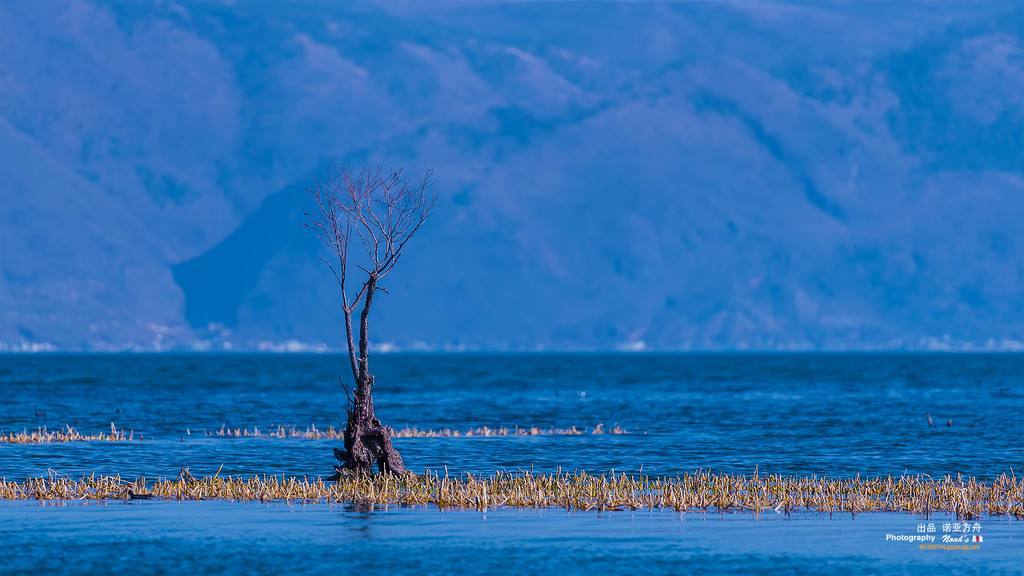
x=966 y=498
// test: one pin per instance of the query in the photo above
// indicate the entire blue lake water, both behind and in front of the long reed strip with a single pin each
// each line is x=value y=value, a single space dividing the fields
x=836 y=416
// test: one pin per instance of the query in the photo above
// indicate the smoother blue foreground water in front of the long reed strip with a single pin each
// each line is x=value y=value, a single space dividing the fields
x=242 y=539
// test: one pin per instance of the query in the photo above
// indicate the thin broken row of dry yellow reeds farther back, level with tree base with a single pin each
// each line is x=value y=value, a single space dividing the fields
x=68 y=434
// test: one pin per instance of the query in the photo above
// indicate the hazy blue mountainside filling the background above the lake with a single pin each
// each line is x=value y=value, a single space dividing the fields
x=614 y=176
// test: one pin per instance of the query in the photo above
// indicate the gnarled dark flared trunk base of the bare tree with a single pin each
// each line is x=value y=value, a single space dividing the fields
x=367 y=441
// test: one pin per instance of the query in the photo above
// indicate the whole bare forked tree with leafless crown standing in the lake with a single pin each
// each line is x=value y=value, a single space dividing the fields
x=378 y=213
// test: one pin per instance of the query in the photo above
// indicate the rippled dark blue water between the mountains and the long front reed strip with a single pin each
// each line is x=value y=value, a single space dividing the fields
x=837 y=416
